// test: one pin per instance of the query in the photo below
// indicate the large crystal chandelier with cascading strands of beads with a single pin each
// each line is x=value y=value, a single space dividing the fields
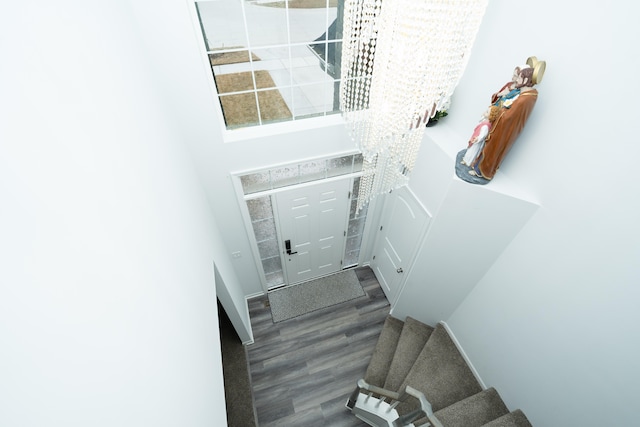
x=401 y=61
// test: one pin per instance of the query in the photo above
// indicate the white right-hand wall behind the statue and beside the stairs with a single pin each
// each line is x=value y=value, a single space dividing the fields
x=553 y=325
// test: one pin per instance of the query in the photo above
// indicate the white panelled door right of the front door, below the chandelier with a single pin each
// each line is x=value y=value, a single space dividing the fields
x=401 y=231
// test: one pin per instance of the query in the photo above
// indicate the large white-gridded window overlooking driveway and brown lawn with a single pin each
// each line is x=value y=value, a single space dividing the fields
x=273 y=61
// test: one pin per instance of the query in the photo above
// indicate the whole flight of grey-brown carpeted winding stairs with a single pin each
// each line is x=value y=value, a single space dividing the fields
x=412 y=354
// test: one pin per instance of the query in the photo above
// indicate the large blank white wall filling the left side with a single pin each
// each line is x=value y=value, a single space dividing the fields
x=107 y=296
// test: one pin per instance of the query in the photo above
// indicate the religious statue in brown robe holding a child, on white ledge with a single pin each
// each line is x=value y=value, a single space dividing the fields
x=514 y=103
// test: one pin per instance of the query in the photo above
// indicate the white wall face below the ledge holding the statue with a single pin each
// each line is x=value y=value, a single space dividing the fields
x=472 y=227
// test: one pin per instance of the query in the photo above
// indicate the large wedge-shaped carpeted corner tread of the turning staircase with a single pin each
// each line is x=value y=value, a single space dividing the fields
x=441 y=373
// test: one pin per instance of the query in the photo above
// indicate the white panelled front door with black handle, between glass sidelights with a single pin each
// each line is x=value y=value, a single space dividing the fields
x=313 y=221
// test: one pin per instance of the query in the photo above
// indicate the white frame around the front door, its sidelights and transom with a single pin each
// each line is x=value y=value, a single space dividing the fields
x=242 y=198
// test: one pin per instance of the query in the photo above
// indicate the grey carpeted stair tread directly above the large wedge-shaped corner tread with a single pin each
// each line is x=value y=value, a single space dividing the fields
x=474 y=411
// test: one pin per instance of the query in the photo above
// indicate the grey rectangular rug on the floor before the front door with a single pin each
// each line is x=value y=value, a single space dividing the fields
x=296 y=300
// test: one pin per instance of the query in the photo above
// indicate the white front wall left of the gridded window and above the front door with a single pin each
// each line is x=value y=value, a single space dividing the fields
x=215 y=159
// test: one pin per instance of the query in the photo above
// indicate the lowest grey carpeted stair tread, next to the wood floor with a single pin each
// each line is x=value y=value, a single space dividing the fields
x=384 y=351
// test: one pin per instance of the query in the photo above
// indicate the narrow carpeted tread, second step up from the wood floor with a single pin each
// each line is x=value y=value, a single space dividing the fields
x=413 y=337
